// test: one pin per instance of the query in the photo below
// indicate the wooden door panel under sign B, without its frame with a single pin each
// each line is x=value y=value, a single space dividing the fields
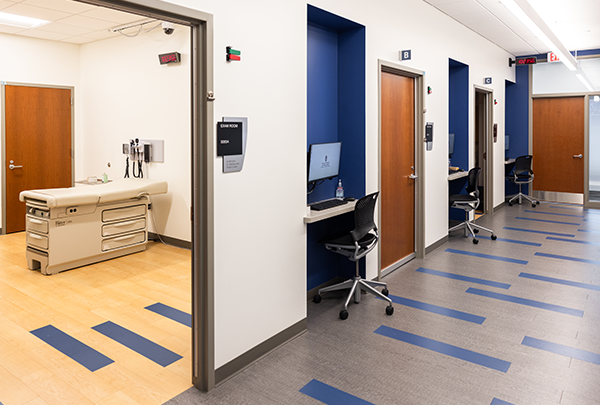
x=397 y=225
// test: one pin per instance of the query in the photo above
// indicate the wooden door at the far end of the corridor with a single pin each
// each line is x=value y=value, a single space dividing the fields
x=558 y=136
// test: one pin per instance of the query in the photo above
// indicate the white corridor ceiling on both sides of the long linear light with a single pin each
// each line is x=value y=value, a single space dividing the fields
x=575 y=22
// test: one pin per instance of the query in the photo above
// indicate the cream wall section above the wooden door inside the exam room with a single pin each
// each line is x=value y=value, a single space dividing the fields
x=34 y=61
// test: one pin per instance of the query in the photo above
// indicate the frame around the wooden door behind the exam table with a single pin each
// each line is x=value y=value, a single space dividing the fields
x=3 y=138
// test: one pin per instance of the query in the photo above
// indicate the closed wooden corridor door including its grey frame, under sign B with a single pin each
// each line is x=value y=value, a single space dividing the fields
x=400 y=166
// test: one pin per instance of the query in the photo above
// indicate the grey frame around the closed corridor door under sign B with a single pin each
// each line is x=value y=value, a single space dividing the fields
x=417 y=75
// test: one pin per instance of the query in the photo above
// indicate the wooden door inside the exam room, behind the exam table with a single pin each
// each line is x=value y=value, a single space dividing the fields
x=38 y=143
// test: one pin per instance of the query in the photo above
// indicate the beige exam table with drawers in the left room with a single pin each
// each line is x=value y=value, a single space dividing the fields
x=77 y=226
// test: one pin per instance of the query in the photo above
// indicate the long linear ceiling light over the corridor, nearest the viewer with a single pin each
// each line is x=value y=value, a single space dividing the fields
x=528 y=16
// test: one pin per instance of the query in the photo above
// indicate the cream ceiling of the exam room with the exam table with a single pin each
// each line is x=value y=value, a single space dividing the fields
x=72 y=21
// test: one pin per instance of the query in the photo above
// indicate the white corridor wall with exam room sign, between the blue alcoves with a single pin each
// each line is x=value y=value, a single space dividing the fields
x=260 y=251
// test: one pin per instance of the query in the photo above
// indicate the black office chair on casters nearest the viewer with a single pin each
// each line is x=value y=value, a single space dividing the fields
x=355 y=245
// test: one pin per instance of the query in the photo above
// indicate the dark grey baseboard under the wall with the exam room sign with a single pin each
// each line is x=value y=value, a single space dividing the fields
x=241 y=362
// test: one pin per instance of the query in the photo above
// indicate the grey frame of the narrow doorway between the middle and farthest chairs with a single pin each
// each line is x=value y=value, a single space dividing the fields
x=488 y=145
